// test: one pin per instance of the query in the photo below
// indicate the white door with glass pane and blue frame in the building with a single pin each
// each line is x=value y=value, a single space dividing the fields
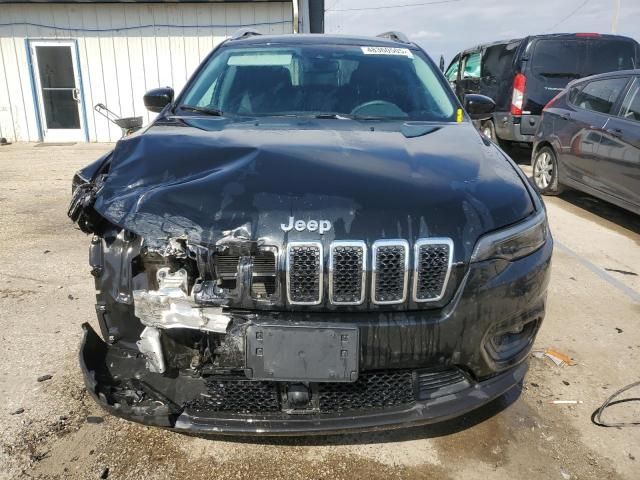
x=57 y=84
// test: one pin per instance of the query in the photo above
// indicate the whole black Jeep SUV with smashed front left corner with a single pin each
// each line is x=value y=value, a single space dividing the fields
x=312 y=237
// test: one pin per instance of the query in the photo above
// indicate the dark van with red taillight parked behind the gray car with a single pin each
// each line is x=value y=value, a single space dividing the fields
x=523 y=75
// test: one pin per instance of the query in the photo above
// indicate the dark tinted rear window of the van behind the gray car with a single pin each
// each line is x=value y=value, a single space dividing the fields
x=569 y=58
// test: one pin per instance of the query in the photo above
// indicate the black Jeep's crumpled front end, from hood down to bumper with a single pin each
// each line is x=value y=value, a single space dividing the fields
x=219 y=312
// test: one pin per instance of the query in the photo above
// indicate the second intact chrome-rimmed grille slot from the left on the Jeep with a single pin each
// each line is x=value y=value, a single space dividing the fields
x=347 y=272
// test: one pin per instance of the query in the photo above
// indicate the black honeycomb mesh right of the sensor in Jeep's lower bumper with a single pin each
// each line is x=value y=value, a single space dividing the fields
x=372 y=390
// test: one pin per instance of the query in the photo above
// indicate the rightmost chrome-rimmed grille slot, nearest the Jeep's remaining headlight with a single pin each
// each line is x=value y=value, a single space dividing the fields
x=433 y=258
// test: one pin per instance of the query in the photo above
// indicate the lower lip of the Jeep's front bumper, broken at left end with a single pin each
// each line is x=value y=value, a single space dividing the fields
x=97 y=363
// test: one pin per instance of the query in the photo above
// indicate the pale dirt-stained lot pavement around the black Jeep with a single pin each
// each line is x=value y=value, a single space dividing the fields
x=46 y=292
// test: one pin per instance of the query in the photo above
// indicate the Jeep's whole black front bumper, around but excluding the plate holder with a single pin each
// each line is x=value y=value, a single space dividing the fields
x=472 y=335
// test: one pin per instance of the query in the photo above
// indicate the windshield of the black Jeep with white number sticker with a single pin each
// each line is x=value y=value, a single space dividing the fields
x=349 y=81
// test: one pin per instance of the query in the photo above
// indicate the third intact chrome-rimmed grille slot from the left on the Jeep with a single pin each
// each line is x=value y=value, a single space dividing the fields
x=390 y=271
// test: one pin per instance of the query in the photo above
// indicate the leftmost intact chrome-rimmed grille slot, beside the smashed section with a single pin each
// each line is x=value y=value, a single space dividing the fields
x=304 y=273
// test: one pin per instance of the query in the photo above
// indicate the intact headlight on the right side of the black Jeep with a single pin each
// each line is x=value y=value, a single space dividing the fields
x=514 y=242
